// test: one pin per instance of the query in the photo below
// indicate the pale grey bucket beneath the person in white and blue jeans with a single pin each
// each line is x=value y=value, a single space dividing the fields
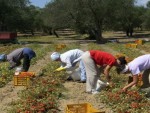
x=74 y=73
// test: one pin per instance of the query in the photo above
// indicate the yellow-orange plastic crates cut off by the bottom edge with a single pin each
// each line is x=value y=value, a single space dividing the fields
x=82 y=108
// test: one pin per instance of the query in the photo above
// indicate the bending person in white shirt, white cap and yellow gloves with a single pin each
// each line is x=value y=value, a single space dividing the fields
x=68 y=60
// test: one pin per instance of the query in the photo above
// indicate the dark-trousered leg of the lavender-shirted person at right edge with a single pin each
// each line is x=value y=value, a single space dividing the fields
x=146 y=79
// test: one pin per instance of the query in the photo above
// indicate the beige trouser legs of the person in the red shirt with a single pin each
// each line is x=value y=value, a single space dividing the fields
x=91 y=72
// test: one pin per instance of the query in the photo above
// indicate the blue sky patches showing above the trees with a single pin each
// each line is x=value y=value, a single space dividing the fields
x=41 y=3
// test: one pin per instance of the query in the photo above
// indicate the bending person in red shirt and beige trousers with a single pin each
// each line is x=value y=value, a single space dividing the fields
x=91 y=60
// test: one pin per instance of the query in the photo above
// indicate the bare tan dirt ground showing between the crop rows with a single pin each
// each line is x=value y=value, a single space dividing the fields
x=75 y=94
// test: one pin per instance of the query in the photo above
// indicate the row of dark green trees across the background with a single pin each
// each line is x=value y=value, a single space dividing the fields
x=85 y=16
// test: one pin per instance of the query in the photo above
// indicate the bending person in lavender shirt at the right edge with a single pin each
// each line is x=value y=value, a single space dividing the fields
x=136 y=67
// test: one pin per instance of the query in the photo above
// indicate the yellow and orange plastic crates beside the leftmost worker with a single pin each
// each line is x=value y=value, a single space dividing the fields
x=23 y=79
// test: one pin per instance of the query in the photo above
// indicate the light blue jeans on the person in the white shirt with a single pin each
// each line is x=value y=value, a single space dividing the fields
x=82 y=71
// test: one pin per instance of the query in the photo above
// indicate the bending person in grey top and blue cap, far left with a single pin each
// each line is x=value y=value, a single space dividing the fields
x=15 y=57
